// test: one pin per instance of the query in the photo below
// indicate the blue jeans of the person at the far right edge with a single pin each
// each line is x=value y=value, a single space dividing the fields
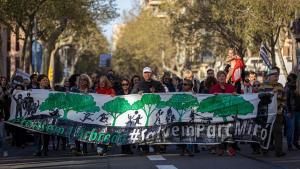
x=290 y=128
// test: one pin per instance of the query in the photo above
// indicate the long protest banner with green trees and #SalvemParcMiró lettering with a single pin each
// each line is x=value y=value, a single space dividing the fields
x=164 y=118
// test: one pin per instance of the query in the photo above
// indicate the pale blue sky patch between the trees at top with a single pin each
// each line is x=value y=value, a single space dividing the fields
x=122 y=5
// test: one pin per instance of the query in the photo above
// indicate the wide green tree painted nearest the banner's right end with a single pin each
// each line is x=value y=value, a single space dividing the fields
x=225 y=105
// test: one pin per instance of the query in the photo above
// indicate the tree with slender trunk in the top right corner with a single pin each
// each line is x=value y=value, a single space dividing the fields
x=268 y=20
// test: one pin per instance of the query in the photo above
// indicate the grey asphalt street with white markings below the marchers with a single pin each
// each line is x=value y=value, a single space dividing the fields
x=22 y=158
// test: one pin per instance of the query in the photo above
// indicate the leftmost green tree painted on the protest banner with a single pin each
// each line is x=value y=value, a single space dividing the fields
x=68 y=102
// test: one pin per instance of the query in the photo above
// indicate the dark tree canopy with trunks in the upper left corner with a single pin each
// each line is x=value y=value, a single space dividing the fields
x=52 y=18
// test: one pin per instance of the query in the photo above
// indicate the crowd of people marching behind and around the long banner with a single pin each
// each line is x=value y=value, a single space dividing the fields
x=287 y=118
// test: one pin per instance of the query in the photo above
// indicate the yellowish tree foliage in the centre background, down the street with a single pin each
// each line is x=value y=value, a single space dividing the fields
x=141 y=43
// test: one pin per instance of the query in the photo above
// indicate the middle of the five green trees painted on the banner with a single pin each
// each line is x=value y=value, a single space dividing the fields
x=148 y=103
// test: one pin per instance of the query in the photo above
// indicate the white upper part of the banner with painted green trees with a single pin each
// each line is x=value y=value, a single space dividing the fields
x=138 y=110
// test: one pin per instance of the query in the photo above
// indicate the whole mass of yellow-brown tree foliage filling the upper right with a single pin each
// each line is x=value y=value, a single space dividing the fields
x=241 y=24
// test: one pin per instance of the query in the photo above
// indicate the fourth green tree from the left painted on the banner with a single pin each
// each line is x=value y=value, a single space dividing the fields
x=181 y=103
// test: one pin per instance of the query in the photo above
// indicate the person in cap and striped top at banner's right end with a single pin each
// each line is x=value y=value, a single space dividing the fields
x=272 y=85
